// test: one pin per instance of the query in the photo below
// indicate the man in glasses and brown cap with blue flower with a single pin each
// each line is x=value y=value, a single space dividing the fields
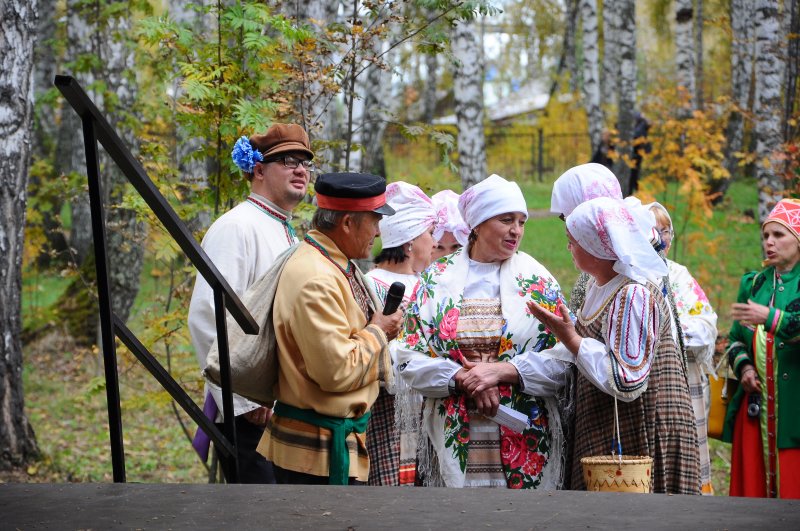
x=243 y=243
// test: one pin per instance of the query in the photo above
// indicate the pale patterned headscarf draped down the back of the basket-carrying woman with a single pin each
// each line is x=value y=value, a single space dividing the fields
x=606 y=229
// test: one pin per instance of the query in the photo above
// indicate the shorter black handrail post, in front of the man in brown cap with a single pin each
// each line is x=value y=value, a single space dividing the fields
x=231 y=464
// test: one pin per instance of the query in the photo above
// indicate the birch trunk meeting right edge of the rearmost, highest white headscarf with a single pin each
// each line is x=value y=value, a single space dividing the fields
x=626 y=48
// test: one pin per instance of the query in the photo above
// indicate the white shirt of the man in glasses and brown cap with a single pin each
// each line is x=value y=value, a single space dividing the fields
x=243 y=243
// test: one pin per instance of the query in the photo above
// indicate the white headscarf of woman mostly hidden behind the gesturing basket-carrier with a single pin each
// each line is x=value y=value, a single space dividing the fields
x=580 y=184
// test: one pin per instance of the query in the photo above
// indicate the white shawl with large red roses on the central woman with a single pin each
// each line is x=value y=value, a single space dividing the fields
x=430 y=334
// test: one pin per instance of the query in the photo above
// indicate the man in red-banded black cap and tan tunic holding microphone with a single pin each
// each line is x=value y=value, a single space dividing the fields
x=331 y=342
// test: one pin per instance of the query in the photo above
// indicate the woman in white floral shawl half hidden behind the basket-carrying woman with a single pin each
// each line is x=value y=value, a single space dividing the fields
x=698 y=323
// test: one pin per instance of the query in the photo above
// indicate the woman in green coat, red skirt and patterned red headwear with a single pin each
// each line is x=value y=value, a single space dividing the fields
x=762 y=419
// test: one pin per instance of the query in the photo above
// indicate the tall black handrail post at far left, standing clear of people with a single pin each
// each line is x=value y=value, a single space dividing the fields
x=104 y=300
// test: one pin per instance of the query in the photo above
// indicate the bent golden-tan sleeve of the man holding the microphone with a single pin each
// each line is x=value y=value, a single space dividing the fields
x=336 y=359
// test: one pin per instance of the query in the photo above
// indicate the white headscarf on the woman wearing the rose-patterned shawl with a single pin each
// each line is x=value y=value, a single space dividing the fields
x=491 y=197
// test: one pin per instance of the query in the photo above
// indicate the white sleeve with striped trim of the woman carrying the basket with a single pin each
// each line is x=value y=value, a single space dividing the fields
x=621 y=365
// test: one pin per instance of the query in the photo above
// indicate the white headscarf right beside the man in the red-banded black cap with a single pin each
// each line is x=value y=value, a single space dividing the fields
x=414 y=214
